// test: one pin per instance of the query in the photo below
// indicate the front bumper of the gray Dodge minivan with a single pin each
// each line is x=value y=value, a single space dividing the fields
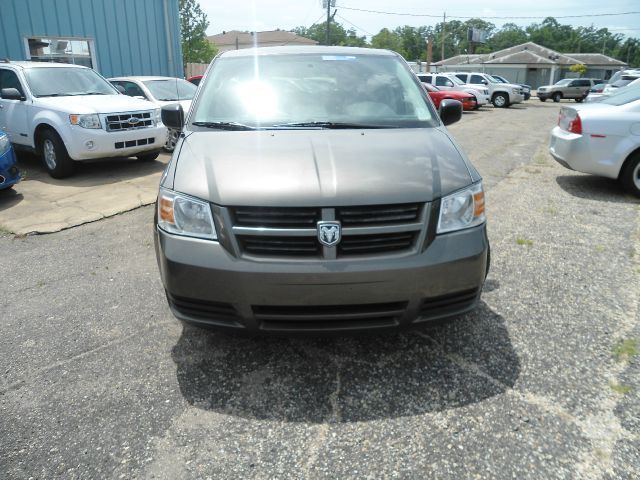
x=206 y=285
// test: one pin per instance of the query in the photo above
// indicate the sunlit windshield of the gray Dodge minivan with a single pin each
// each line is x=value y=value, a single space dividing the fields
x=309 y=90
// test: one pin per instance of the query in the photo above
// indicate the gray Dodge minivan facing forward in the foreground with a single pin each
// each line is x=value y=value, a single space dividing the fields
x=316 y=189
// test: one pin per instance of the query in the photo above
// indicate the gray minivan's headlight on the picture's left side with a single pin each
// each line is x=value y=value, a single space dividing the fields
x=184 y=215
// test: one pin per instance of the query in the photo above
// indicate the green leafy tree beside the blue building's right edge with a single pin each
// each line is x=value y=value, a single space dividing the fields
x=196 y=47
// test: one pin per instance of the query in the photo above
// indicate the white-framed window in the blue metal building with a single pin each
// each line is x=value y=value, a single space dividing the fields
x=78 y=51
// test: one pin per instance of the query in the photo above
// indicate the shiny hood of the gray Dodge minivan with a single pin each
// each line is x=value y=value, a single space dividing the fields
x=320 y=167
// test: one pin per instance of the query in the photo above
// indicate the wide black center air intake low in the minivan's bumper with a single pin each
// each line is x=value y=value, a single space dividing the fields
x=328 y=317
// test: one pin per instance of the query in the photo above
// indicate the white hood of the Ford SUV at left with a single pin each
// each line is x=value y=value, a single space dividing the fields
x=85 y=104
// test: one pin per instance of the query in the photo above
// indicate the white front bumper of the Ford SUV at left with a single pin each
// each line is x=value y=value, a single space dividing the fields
x=105 y=144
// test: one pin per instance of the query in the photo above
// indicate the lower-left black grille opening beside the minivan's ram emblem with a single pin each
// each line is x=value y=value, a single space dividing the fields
x=279 y=246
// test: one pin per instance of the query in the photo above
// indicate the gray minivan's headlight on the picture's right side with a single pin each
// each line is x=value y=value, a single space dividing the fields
x=462 y=209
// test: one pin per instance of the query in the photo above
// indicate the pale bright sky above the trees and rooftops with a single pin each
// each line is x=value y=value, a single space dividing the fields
x=262 y=15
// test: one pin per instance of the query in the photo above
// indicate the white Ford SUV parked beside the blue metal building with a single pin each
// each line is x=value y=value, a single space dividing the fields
x=68 y=113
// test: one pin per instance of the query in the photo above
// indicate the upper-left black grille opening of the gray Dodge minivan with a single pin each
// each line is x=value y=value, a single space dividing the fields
x=274 y=217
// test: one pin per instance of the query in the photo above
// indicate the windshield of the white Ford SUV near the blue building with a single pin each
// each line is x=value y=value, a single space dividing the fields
x=62 y=82
